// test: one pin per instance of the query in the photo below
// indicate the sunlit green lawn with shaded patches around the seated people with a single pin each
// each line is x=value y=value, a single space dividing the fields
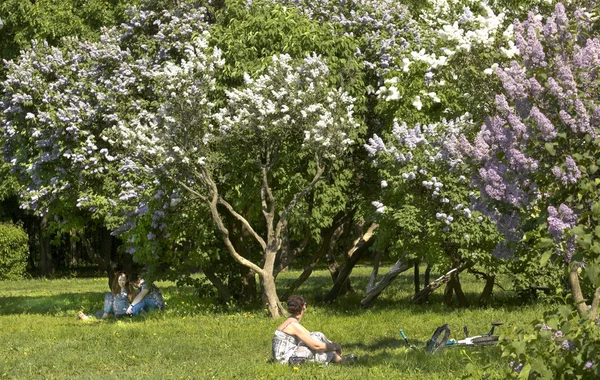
x=195 y=338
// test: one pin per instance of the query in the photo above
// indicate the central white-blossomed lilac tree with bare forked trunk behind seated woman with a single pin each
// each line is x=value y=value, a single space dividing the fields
x=284 y=129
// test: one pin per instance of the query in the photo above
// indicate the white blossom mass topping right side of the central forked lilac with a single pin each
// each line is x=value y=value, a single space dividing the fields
x=292 y=96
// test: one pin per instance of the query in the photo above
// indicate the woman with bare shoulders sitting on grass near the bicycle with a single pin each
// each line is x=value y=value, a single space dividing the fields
x=294 y=344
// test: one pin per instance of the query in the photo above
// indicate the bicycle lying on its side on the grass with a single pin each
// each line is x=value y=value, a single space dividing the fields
x=438 y=340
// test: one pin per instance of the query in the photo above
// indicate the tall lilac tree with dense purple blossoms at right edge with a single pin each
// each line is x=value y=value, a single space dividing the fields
x=537 y=157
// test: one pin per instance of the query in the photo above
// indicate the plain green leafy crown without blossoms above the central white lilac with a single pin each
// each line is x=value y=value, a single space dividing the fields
x=250 y=35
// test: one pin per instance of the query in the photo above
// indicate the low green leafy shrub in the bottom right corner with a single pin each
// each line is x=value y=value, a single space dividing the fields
x=561 y=345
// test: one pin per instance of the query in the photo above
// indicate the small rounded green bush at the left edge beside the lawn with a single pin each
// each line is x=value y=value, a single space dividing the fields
x=13 y=251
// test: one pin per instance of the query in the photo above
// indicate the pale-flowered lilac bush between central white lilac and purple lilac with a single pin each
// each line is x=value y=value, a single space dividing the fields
x=424 y=207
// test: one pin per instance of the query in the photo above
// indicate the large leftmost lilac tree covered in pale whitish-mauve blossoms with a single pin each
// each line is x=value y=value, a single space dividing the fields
x=60 y=104
